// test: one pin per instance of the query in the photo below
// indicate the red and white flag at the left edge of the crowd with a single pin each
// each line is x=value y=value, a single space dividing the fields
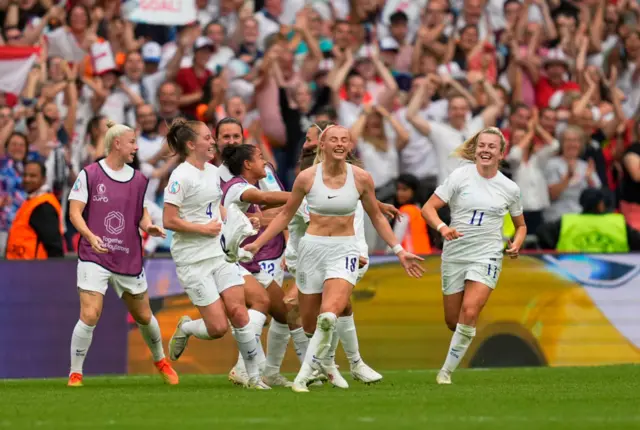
x=15 y=64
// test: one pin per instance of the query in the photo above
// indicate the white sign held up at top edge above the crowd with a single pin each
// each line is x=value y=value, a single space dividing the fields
x=161 y=12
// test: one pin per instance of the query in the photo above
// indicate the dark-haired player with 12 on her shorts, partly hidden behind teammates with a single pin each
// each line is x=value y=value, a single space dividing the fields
x=247 y=165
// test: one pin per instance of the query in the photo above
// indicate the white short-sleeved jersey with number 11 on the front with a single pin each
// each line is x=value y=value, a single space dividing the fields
x=478 y=206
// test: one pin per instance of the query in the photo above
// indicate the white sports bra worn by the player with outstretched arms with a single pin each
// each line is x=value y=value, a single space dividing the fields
x=329 y=202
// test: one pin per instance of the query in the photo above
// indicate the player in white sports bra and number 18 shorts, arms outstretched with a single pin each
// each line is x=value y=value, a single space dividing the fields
x=328 y=253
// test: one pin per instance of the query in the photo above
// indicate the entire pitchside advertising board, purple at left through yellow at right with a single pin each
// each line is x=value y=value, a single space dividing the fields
x=556 y=310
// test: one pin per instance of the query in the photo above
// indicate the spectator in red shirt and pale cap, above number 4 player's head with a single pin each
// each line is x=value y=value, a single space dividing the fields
x=191 y=80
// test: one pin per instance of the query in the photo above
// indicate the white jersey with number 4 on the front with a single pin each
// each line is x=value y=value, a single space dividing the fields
x=197 y=195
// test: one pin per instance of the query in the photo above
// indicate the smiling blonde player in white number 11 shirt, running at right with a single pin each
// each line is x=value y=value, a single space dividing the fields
x=479 y=196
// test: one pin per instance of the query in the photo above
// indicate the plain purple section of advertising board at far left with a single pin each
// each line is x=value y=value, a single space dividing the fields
x=39 y=307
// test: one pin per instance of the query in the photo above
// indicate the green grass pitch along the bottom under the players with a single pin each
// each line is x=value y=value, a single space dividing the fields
x=521 y=399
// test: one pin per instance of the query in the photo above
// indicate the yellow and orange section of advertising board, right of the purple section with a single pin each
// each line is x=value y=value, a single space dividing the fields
x=556 y=310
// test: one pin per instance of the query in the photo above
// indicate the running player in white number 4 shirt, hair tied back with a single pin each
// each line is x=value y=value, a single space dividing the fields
x=193 y=211
